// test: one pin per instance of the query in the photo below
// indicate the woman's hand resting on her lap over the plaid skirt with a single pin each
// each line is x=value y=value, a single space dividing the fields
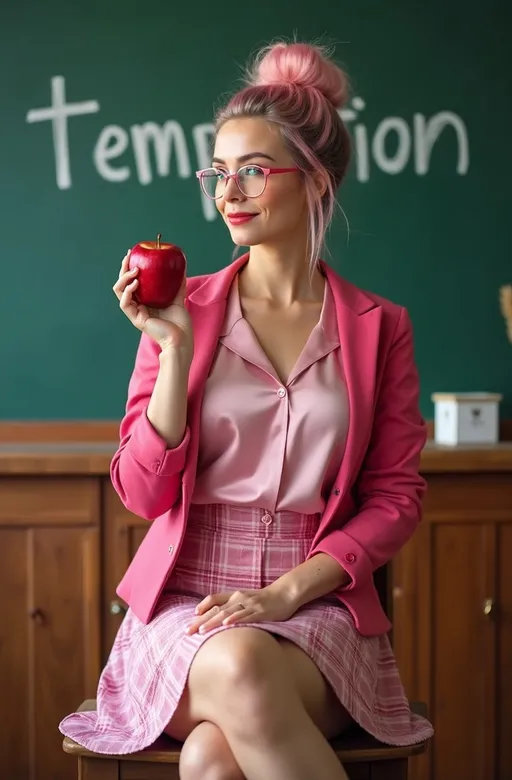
x=243 y=606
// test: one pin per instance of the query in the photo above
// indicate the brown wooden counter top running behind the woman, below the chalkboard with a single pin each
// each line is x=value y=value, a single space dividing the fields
x=93 y=458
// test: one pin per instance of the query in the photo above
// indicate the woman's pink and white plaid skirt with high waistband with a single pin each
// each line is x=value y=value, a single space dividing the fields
x=231 y=548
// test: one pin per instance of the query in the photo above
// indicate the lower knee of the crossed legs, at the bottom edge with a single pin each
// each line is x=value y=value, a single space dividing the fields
x=206 y=755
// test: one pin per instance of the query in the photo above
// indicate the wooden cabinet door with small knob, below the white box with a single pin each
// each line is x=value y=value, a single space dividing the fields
x=462 y=645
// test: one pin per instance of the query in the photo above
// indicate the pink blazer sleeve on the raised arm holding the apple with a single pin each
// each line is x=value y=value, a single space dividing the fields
x=145 y=473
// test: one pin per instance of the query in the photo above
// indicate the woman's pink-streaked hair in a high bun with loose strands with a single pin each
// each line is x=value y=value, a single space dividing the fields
x=299 y=88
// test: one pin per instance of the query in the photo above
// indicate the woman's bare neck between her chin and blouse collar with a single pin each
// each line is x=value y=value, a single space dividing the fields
x=281 y=275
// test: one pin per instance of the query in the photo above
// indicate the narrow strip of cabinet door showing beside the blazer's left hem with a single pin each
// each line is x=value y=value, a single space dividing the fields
x=123 y=533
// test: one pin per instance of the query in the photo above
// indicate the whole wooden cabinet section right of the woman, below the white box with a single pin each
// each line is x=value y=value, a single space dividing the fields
x=452 y=604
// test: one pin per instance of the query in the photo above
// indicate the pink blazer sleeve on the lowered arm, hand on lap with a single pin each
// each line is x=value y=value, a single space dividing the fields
x=389 y=489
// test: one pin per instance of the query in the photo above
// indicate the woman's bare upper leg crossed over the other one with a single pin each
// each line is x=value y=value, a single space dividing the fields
x=242 y=681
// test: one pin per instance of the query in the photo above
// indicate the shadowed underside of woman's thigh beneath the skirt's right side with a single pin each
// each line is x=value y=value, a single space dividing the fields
x=320 y=701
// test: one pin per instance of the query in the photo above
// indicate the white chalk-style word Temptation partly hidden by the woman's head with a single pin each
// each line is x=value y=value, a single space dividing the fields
x=390 y=148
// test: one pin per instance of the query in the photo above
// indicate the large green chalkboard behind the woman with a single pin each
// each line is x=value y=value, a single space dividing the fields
x=427 y=197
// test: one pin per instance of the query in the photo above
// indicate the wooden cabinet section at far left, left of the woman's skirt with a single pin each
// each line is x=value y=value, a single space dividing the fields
x=49 y=618
